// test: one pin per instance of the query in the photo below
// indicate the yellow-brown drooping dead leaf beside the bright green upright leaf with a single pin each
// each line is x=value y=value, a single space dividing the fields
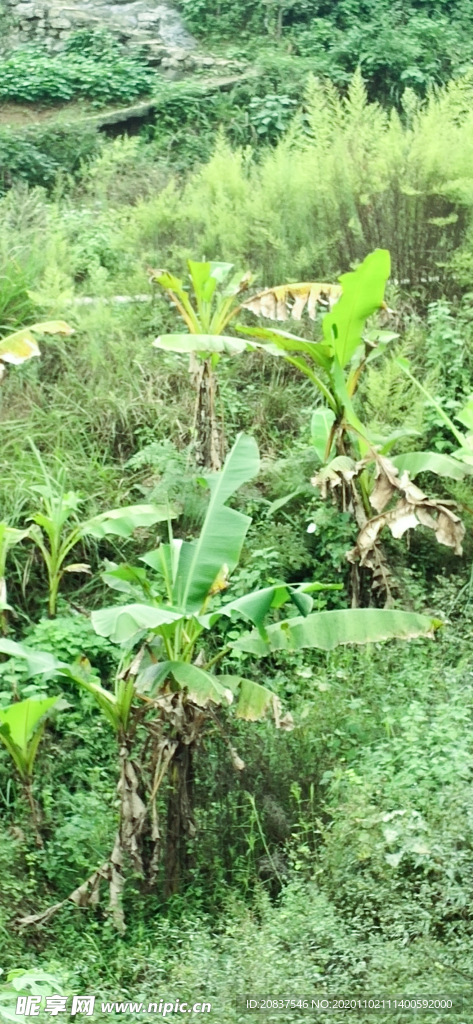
x=285 y=302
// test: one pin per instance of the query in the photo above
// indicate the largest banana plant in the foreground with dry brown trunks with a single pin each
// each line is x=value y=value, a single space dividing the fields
x=171 y=686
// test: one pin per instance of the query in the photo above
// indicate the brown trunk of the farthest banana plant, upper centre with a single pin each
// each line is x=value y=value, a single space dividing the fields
x=209 y=440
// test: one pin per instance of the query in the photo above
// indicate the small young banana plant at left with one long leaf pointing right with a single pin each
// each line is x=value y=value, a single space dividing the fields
x=57 y=529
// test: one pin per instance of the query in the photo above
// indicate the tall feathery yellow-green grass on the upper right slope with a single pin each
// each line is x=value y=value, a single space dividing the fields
x=348 y=178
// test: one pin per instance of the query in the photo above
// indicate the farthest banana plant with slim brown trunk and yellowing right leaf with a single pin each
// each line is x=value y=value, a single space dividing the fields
x=219 y=294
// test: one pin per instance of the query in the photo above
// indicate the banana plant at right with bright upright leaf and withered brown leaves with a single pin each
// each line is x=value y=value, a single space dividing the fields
x=356 y=464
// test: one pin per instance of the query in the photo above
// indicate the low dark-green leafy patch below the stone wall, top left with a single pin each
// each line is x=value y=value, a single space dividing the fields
x=33 y=76
